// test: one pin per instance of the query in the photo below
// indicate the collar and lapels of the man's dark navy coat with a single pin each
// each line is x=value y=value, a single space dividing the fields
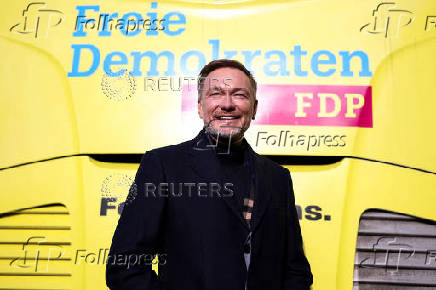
x=199 y=150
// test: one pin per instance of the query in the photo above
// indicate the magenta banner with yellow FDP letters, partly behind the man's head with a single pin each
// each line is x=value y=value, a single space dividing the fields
x=304 y=105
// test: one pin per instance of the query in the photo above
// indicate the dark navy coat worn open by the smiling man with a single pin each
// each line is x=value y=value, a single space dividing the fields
x=201 y=235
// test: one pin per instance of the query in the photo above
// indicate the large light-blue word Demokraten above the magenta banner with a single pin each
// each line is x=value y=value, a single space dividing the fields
x=323 y=63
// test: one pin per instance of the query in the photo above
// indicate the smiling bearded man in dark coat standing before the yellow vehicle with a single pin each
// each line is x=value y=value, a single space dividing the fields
x=223 y=216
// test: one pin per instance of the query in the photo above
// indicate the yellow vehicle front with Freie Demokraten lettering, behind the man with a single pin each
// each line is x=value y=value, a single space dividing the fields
x=347 y=103
